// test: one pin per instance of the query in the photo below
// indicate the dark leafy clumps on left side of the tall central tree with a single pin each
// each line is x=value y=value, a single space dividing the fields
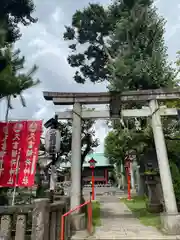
x=89 y=29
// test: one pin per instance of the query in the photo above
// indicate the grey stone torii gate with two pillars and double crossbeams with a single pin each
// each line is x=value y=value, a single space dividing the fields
x=153 y=110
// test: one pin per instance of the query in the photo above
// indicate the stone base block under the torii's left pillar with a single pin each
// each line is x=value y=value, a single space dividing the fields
x=78 y=222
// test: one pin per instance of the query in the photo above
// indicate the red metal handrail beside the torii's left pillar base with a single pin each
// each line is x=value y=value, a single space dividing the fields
x=89 y=215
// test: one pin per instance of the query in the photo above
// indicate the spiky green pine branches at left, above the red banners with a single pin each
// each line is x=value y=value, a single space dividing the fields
x=13 y=80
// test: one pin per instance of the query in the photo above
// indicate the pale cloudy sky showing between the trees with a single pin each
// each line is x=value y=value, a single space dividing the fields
x=42 y=44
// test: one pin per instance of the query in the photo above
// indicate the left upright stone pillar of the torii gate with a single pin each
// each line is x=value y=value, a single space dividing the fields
x=76 y=157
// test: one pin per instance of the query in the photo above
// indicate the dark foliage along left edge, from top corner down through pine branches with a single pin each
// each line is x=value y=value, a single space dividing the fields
x=13 y=80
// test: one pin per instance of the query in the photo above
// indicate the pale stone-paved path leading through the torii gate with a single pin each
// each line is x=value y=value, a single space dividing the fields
x=118 y=222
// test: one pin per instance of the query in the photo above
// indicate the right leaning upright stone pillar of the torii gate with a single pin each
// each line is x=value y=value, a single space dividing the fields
x=165 y=174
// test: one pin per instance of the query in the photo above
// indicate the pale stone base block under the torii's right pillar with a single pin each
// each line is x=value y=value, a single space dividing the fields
x=170 y=224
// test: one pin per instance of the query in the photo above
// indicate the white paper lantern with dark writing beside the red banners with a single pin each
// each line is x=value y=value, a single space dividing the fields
x=52 y=141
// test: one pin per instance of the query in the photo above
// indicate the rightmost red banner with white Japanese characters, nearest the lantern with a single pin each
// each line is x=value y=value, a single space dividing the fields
x=29 y=155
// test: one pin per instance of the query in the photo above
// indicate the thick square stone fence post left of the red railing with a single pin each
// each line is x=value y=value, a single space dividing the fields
x=40 y=219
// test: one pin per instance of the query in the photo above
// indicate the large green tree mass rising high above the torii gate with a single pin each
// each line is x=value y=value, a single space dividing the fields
x=123 y=44
